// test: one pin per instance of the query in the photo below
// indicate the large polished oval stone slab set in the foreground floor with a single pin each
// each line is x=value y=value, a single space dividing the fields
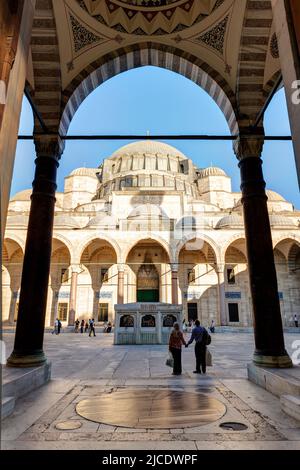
x=154 y=409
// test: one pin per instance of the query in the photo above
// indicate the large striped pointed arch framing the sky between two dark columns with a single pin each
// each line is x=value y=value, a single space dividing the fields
x=149 y=54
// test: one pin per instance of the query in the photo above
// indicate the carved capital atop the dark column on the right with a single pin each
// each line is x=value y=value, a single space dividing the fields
x=249 y=143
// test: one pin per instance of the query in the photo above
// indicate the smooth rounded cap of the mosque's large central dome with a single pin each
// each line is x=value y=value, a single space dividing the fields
x=148 y=147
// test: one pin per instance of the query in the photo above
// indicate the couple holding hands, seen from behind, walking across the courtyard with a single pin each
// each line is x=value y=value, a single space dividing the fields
x=202 y=339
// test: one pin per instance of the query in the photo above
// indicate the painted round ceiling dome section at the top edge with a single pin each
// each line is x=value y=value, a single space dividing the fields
x=149 y=17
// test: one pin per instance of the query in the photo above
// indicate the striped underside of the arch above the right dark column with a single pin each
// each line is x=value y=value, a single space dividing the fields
x=250 y=92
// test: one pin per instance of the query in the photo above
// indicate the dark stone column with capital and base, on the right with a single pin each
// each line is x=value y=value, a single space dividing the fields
x=269 y=341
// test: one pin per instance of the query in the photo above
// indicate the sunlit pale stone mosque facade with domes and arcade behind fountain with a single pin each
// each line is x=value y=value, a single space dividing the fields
x=149 y=225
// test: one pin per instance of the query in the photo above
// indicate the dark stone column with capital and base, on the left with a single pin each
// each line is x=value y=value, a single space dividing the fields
x=28 y=347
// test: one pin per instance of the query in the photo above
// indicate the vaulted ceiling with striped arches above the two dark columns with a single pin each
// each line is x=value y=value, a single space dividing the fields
x=228 y=47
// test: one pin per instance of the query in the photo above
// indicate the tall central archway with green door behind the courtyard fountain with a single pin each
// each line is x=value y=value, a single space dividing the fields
x=149 y=274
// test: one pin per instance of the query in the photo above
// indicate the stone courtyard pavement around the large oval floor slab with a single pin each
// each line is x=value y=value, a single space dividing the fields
x=84 y=367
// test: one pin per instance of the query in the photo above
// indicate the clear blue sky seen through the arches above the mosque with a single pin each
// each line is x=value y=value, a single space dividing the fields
x=161 y=102
